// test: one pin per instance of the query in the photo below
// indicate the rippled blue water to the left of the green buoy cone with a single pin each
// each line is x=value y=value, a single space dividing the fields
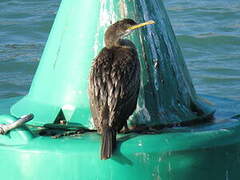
x=24 y=28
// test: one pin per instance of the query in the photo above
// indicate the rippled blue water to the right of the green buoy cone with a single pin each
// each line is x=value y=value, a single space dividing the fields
x=209 y=35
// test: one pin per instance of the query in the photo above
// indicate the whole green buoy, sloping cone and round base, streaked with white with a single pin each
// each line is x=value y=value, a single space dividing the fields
x=204 y=152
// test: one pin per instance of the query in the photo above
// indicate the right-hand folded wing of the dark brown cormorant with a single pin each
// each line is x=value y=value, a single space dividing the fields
x=124 y=87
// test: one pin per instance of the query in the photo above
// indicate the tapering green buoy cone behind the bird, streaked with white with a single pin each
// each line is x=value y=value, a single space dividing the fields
x=61 y=80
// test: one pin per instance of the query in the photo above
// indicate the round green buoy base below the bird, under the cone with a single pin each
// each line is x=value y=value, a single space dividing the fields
x=206 y=152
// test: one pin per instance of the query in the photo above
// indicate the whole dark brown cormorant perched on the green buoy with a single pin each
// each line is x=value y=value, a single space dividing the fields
x=114 y=83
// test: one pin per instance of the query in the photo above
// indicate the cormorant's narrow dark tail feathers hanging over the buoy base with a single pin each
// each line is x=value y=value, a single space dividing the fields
x=108 y=143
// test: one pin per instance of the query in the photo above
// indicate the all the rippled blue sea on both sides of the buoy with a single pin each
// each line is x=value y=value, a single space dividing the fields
x=207 y=31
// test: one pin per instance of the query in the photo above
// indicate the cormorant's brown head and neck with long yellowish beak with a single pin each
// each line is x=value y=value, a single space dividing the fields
x=120 y=29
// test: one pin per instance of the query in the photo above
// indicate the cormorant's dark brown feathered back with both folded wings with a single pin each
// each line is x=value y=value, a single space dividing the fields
x=114 y=86
